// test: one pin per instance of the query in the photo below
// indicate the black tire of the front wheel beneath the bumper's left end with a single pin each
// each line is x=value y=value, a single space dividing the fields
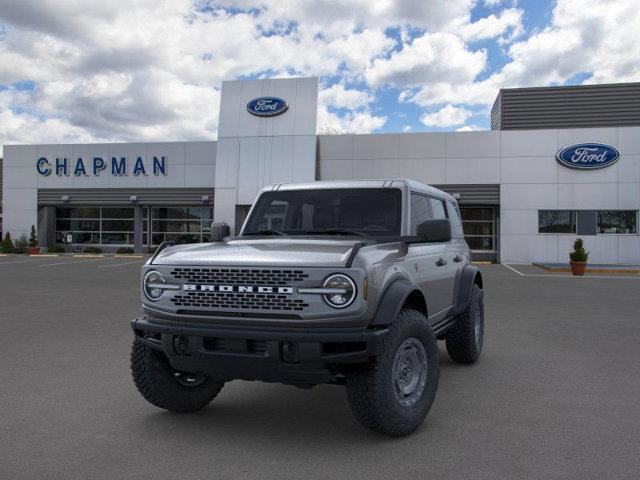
x=156 y=381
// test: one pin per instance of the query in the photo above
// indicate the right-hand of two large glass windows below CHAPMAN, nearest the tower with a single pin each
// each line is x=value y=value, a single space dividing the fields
x=180 y=224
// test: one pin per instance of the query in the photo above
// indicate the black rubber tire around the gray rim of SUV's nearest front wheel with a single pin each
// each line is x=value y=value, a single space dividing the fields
x=370 y=388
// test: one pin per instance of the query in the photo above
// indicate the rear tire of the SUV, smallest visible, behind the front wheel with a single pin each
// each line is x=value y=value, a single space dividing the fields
x=464 y=340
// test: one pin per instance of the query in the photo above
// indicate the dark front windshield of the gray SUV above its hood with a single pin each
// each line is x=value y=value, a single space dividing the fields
x=355 y=211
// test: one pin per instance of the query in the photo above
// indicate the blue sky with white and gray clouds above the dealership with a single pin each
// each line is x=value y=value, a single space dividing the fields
x=76 y=71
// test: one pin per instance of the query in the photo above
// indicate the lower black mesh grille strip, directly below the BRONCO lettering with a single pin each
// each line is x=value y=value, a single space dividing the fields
x=240 y=301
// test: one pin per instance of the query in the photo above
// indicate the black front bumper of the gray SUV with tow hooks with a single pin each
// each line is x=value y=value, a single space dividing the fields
x=294 y=356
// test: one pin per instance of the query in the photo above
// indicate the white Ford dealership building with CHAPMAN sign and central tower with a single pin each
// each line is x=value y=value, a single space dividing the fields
x=559 y=162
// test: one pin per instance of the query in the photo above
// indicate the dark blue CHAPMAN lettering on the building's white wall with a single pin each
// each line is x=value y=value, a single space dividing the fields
x=117 y=166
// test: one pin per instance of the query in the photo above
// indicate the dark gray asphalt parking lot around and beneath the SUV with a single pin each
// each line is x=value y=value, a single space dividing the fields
x=555 y=394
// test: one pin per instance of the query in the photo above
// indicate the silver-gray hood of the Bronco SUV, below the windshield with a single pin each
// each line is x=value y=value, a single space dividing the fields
x=292 y=252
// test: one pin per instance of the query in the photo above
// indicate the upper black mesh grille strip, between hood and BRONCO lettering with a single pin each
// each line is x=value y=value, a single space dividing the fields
x=239 y=276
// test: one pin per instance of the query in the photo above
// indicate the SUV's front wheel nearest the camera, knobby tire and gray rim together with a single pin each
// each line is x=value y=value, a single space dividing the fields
x=394 y=392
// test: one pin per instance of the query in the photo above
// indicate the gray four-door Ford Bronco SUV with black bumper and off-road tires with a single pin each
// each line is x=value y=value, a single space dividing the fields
x=349 y=283
